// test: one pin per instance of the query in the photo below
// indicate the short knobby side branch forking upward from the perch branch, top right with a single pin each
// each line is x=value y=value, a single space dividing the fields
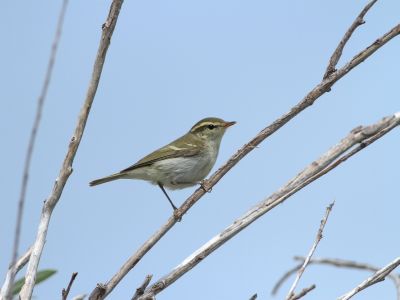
x=339 y=49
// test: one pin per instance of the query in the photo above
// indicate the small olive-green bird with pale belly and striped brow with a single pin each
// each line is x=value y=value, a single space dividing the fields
x=182 y=163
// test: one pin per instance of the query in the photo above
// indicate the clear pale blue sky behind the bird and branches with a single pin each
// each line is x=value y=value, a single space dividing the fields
x=170 y=64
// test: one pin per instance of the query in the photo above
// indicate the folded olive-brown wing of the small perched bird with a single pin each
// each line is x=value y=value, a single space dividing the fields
x=178 y=148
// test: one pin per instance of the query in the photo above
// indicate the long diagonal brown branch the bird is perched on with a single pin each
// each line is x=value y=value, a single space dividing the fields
x=101 y=290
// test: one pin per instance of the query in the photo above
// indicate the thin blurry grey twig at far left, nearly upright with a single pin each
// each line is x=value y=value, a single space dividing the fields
x=31 y=144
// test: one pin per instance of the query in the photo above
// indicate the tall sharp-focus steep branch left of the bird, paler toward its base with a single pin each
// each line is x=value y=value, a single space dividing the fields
x=66 y=168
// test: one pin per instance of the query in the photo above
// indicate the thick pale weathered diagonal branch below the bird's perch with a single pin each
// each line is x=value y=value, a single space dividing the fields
x=363 y=136
